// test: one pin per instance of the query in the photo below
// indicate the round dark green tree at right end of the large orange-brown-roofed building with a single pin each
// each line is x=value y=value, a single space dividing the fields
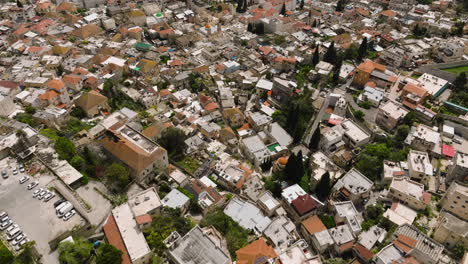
x=172 y=139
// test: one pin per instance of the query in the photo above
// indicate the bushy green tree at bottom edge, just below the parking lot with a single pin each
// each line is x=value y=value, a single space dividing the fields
x=76 y=252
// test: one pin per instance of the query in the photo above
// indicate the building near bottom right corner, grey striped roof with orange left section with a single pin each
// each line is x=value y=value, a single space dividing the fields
x=418 y=245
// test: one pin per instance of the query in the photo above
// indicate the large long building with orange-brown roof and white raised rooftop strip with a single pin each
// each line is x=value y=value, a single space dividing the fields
x=137 y=152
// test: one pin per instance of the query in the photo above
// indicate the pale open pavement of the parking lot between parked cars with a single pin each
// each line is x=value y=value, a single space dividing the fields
x=36 y=218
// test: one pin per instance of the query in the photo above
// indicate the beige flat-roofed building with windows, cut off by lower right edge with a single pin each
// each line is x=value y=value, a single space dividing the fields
x=455 y=200
